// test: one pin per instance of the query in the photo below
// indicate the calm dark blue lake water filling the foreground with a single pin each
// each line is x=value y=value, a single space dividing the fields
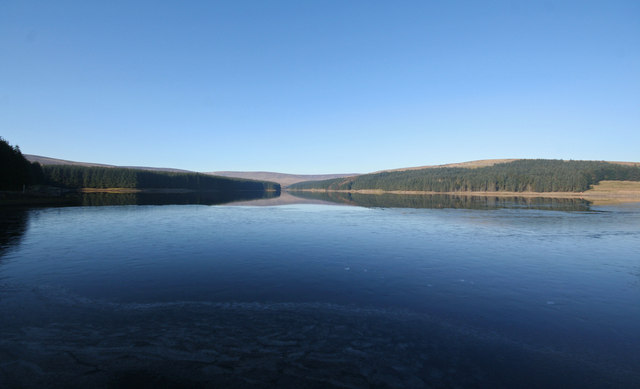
x=317 y=295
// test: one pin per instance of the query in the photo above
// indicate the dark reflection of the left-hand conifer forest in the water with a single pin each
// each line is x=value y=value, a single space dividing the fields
x=204 y=198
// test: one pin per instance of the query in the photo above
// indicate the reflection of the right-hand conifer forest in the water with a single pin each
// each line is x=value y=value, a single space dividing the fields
x=390 y=200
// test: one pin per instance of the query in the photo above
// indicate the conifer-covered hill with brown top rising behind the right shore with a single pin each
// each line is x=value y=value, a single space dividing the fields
x=521 y=175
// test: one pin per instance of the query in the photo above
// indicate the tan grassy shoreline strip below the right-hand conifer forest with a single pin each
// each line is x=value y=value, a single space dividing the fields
x=606 y=192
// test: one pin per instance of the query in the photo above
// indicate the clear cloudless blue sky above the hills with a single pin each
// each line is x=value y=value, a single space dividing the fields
x=320 y=86
